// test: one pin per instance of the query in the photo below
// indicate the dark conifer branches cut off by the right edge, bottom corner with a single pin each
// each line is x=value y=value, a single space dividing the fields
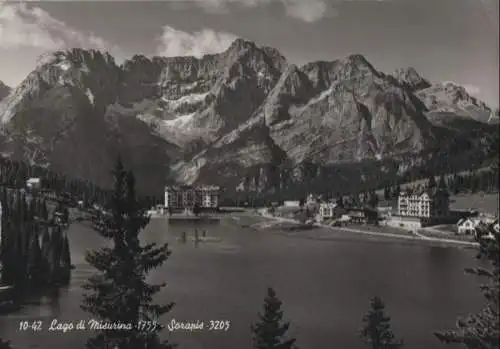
x=482 y=330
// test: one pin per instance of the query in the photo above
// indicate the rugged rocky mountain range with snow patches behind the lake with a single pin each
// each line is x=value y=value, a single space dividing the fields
x=245 y=119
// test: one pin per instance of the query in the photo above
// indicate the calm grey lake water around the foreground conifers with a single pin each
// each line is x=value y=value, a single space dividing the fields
x=324 y=278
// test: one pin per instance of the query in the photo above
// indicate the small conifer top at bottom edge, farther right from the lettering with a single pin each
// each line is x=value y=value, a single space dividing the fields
x=377 y=330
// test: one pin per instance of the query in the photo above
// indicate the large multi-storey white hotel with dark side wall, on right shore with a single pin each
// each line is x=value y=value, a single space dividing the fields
x=423 y=203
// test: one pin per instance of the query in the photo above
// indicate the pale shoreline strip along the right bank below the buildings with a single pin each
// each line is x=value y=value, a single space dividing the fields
x=416 y=236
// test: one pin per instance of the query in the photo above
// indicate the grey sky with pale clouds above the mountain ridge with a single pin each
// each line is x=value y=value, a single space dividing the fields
x=444 y=40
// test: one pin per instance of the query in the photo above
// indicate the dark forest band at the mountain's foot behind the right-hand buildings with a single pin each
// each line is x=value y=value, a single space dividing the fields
x=263 y=184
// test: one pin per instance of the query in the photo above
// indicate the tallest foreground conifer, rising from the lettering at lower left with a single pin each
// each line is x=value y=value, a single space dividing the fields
x=118 y=293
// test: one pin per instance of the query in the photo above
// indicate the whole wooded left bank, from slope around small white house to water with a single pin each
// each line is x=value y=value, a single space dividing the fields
x=34 y=248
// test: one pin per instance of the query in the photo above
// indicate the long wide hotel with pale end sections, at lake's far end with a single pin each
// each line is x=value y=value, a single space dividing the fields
x=186 y=197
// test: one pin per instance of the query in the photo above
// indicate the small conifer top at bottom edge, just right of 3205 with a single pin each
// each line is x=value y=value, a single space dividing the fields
x=270 y=331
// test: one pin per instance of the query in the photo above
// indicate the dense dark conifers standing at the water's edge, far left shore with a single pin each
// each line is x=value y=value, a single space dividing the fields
x=34 y=250
